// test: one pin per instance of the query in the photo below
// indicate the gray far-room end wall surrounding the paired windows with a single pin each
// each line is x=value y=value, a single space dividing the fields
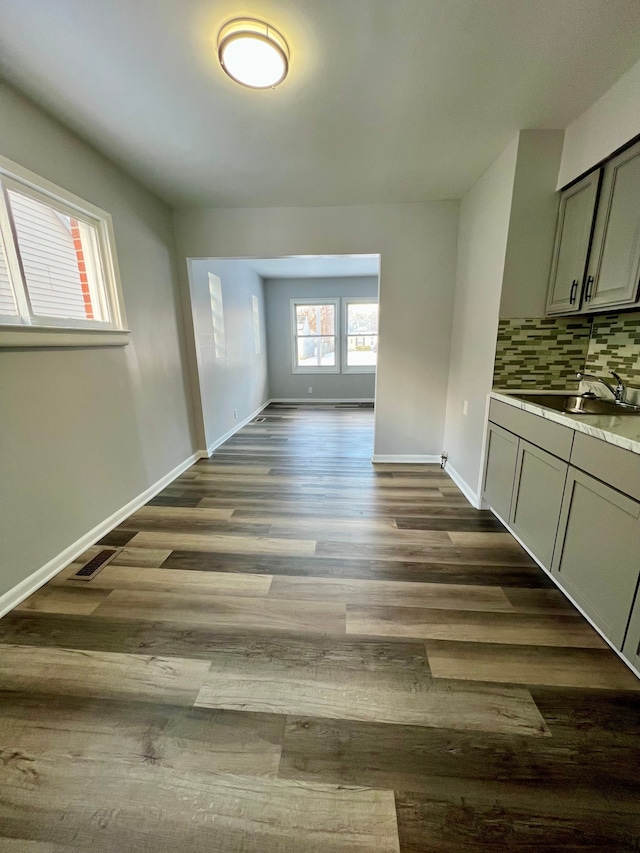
x=283 y=383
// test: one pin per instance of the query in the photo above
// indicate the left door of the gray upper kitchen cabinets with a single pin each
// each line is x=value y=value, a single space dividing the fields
x=571 y=248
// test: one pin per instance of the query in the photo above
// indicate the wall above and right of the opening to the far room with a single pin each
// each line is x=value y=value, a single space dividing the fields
x=417 y=244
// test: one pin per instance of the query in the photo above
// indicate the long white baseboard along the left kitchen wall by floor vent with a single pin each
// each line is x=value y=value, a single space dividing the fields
x=29 y=585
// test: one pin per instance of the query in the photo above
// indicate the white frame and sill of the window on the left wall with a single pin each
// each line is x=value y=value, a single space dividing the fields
x=27 y=329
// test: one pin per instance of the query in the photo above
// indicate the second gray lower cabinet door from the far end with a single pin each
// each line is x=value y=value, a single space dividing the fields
x=537 y=497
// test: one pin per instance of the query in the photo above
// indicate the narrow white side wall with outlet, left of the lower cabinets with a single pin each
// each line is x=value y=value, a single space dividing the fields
x=482 y=245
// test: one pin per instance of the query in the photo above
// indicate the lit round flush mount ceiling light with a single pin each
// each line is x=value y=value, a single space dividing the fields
x=252 y=53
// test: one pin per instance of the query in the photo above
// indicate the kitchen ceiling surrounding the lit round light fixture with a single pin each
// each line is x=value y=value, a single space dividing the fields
x=386 y=101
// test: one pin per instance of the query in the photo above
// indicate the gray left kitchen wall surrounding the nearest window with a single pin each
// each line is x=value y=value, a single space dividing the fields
x=85 y=431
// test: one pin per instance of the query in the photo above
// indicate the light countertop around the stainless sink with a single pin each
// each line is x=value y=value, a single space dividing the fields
x=621 y=430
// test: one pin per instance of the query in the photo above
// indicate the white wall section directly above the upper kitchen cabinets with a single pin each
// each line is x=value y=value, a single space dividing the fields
x=605 y=126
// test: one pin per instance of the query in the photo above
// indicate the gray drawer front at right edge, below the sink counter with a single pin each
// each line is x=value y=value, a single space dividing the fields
x=616 y=466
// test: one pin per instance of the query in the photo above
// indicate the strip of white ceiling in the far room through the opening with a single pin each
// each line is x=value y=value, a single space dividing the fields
x=315 y=266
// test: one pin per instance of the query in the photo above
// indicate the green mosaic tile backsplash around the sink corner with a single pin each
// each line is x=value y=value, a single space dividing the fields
x=547 y=353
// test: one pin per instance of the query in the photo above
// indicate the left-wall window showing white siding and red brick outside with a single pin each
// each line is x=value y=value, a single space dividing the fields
x=57 y=261
